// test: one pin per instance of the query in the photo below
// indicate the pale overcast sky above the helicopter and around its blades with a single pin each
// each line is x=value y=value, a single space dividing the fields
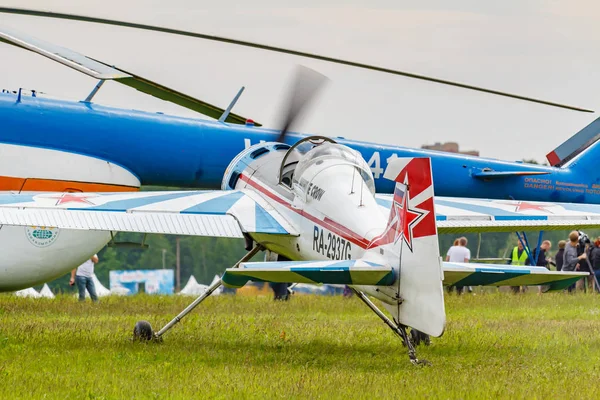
x=543 y=49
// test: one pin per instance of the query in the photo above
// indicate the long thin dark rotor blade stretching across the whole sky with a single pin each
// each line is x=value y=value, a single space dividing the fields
x=82 y=18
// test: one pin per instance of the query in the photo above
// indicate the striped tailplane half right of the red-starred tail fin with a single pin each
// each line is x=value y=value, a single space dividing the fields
x=460 y=274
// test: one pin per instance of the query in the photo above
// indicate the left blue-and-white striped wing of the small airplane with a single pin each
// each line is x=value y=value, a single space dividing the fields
x=199 y=213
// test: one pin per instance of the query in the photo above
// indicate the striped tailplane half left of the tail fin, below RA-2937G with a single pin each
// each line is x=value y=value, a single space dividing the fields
x=351 y=272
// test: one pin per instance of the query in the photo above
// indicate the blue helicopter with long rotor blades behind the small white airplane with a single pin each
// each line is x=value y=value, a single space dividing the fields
x=122 y=149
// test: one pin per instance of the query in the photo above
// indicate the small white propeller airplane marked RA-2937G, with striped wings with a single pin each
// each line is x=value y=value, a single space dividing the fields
x=313 y=203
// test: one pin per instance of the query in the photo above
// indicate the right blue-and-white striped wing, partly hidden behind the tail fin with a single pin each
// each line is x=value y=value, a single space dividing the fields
x=463 y=215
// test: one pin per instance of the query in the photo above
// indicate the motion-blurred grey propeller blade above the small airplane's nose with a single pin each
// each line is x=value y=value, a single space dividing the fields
x=307 y=83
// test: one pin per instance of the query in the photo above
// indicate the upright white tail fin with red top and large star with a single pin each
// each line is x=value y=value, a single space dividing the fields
x=411 y=240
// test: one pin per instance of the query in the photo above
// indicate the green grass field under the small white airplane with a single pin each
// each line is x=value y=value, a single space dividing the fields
x=495 y=345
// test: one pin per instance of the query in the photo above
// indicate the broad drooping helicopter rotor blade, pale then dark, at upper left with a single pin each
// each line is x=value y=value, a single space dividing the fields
x=99 y=70
